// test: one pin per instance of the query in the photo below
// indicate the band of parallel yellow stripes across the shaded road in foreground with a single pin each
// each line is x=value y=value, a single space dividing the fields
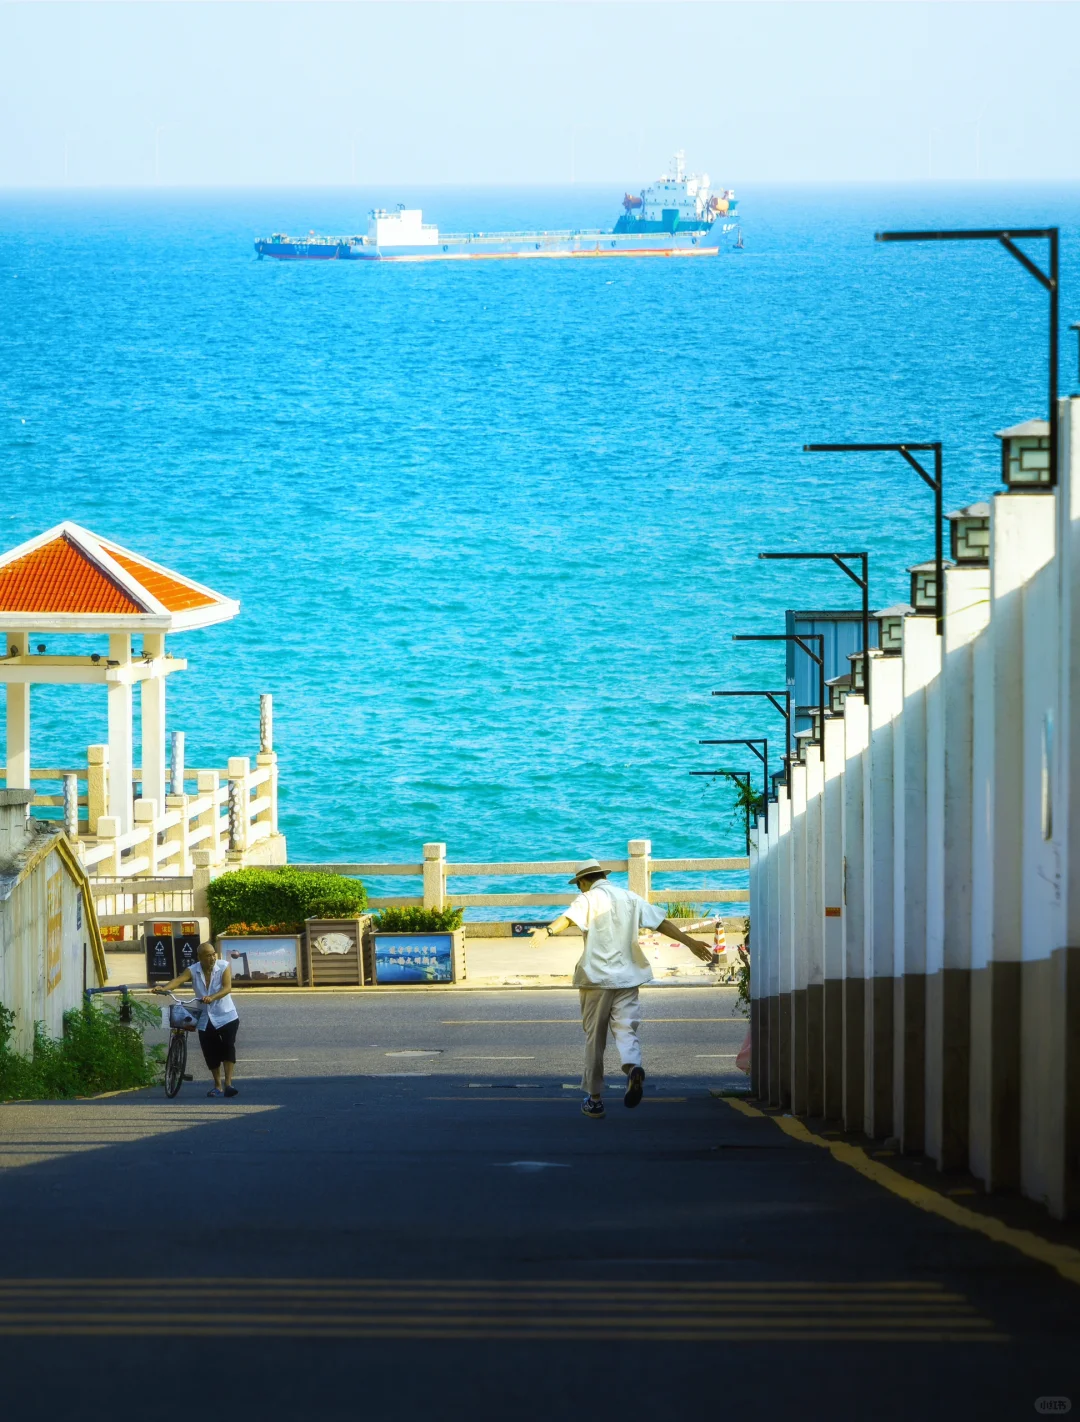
x=894 y=1312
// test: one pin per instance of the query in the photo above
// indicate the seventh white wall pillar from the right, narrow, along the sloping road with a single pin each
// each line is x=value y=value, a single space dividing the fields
x=833 y=918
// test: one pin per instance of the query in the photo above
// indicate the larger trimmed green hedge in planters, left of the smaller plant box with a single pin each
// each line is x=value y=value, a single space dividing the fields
x=282 y=899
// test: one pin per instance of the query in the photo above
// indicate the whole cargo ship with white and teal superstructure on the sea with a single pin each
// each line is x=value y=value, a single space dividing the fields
x=678 y=215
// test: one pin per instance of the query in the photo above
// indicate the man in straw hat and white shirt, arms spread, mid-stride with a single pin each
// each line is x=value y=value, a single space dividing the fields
x=610 y=975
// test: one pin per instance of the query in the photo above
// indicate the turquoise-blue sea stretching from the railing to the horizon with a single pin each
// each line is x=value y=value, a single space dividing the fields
x=493 y=525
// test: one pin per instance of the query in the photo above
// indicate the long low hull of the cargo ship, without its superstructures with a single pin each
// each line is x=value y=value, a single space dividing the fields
x=497 y=248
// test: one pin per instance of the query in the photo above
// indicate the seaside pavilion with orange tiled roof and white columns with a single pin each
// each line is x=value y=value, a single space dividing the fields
x=70 y=581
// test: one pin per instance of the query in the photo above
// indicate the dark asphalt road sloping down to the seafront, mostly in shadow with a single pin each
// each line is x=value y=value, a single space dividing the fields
x=399 y=1238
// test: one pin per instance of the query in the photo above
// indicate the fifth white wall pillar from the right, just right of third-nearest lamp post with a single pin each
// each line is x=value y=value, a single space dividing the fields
x=887 y=697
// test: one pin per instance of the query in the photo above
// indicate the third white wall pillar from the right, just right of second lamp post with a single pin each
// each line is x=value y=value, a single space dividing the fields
x=950 y=870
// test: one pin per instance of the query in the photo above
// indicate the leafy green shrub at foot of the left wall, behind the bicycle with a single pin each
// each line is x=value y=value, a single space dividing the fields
x=97 y=1053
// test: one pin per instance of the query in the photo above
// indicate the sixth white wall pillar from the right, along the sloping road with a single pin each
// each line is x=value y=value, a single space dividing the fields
x=856 y=742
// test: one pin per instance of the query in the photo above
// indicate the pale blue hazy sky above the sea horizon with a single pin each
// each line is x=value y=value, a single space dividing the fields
x=285 y=95
